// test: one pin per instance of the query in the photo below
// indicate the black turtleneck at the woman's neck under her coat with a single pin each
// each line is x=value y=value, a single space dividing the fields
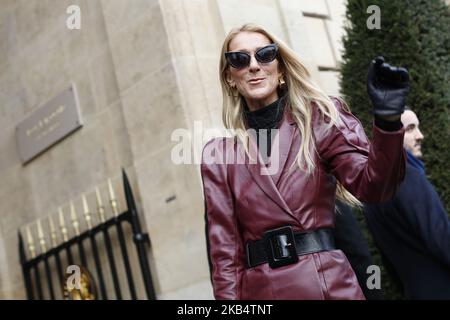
x=267 y=117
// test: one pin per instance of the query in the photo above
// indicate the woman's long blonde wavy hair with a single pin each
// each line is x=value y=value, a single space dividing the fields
x=300 y=94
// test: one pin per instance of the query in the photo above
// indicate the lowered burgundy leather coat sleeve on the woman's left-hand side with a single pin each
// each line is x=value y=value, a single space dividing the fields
x=224 y=242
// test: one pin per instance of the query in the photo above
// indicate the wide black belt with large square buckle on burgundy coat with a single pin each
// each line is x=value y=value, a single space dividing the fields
x=280 y=247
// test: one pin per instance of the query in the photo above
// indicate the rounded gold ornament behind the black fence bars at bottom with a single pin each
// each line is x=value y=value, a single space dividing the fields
x=87 y=289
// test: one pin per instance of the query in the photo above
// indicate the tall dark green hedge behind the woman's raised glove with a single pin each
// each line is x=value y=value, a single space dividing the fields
x=414 y=34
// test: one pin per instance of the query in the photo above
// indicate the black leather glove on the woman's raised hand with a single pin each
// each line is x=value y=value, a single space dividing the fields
x=387 y=87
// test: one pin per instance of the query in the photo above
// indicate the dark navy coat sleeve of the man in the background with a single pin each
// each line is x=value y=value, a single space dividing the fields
x=421 y=205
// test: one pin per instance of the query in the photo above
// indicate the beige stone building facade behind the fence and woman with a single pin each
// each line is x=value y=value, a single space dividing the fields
x=142 y=69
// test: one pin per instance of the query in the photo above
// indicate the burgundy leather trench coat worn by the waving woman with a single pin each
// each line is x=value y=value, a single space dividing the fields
x=241 y=204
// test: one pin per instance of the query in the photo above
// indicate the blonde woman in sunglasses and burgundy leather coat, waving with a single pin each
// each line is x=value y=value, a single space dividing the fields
x=270 y=215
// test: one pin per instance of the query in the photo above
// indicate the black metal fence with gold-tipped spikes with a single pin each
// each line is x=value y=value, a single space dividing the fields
x=40 y=272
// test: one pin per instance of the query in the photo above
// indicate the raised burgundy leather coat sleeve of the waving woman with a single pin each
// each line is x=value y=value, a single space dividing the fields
x=373 y=171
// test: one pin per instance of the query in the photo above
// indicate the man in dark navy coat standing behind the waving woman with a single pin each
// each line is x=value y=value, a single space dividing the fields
x=413 y=229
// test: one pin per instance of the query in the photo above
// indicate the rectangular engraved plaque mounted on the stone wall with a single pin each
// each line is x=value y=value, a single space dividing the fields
x=49 y=124
